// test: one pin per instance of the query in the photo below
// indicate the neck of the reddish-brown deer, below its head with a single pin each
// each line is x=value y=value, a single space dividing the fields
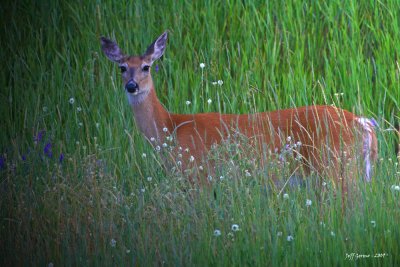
x=150 y=115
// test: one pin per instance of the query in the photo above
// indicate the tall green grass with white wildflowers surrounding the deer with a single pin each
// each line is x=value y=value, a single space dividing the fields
x=74 y=186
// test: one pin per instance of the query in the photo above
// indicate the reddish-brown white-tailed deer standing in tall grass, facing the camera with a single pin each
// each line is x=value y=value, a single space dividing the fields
x=330 y=137
